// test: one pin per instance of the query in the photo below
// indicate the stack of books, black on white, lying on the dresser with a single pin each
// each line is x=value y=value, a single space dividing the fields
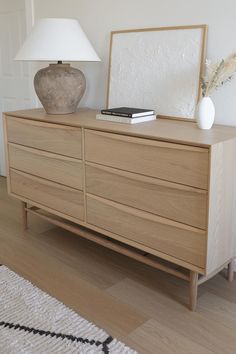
x=127 y=115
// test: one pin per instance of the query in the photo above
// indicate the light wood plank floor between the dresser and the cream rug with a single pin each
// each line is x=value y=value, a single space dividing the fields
x=143 y=307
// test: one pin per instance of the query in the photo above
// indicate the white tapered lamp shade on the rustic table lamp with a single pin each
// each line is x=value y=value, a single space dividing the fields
x=57 y=39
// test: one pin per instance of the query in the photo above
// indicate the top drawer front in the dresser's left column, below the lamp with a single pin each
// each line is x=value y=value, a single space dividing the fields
x=45 y=136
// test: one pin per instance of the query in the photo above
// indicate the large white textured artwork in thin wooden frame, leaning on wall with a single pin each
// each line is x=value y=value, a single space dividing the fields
x=157 y=68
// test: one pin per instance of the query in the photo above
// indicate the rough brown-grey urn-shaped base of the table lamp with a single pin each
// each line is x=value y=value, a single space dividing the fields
x=59 y=88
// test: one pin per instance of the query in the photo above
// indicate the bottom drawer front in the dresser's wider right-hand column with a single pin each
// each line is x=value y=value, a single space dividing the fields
x=185 y=243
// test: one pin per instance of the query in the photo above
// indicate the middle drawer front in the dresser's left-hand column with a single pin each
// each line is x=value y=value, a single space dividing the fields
x=57 y=168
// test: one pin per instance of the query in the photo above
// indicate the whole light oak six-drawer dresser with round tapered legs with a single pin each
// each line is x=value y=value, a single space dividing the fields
x=161 y=192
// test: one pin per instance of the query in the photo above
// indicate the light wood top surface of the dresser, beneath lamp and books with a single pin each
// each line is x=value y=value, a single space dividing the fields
x=161 y=129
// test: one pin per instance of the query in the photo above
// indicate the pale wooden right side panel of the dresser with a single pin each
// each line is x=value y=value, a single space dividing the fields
x=221 y=245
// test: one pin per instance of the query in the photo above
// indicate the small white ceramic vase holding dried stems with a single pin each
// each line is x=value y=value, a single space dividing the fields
x=205 y=113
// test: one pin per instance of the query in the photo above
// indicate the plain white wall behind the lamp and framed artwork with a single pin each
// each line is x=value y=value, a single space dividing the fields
x=99 y=17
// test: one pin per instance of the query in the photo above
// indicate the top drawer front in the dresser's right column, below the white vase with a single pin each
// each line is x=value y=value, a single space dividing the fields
x=172 y=162
